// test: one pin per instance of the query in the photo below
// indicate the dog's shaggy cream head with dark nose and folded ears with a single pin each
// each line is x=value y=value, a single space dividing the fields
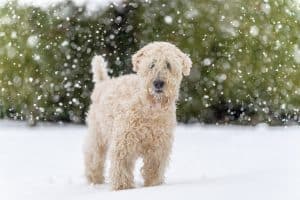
x=161 y=65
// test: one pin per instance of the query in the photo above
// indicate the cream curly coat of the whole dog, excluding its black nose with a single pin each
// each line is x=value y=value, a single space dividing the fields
x=128 y=118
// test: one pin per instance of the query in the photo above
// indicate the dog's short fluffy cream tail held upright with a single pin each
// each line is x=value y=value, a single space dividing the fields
x=99 y=69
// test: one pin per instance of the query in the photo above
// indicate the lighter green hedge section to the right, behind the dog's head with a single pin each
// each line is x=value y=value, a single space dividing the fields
x=243 y=52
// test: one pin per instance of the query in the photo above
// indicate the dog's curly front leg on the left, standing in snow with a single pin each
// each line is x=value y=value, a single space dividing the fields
x=122 y=165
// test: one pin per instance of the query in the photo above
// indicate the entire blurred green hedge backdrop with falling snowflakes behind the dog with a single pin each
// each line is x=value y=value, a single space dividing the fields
x=246 y=56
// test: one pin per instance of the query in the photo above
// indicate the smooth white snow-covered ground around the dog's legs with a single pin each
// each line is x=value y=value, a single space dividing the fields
x=208 y=162
